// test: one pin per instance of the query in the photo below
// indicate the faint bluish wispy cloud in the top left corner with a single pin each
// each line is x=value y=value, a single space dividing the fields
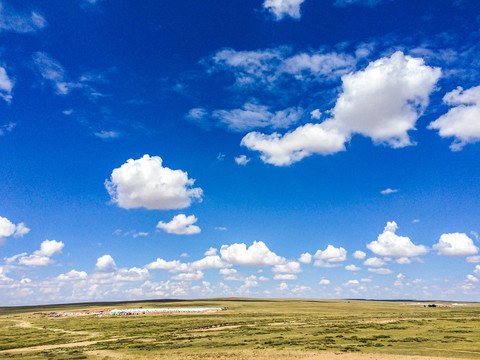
x=11 y=20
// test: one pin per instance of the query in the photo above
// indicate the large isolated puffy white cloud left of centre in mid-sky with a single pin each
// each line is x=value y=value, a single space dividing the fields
x=146 y=183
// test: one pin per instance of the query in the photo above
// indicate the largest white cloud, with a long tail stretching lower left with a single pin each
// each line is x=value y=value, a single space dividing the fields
x=382 y=102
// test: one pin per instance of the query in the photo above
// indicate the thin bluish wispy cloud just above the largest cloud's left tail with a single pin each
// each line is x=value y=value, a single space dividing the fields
x=253 y=116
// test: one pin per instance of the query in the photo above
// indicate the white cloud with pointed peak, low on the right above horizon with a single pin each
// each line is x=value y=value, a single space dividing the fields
x=390 y=244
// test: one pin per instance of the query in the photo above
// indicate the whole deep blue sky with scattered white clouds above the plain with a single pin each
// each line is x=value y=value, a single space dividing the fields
x=267 y=148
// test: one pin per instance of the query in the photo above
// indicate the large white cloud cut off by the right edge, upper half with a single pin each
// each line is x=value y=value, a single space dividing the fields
x=461 y=121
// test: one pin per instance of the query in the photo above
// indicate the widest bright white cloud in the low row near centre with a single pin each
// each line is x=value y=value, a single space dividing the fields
x=256 y=254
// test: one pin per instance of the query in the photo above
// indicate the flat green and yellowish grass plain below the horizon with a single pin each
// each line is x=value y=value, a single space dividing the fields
x=249 y=329
